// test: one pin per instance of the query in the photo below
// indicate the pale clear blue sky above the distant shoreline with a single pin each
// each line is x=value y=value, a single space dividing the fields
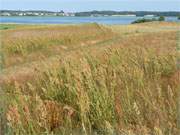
x=87 y=5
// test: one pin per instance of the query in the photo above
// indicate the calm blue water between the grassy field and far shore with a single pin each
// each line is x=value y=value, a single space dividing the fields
x=75 y=20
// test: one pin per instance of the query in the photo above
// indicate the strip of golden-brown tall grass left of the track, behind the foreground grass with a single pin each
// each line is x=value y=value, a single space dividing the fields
x=25 y=45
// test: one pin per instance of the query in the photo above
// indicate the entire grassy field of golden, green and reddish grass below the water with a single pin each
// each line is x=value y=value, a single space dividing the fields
x=90 y=79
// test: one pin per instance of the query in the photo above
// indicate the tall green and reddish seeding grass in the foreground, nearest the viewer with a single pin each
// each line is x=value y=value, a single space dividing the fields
x=127 y=90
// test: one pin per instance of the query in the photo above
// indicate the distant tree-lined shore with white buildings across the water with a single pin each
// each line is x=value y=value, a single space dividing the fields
x=88 y=13
